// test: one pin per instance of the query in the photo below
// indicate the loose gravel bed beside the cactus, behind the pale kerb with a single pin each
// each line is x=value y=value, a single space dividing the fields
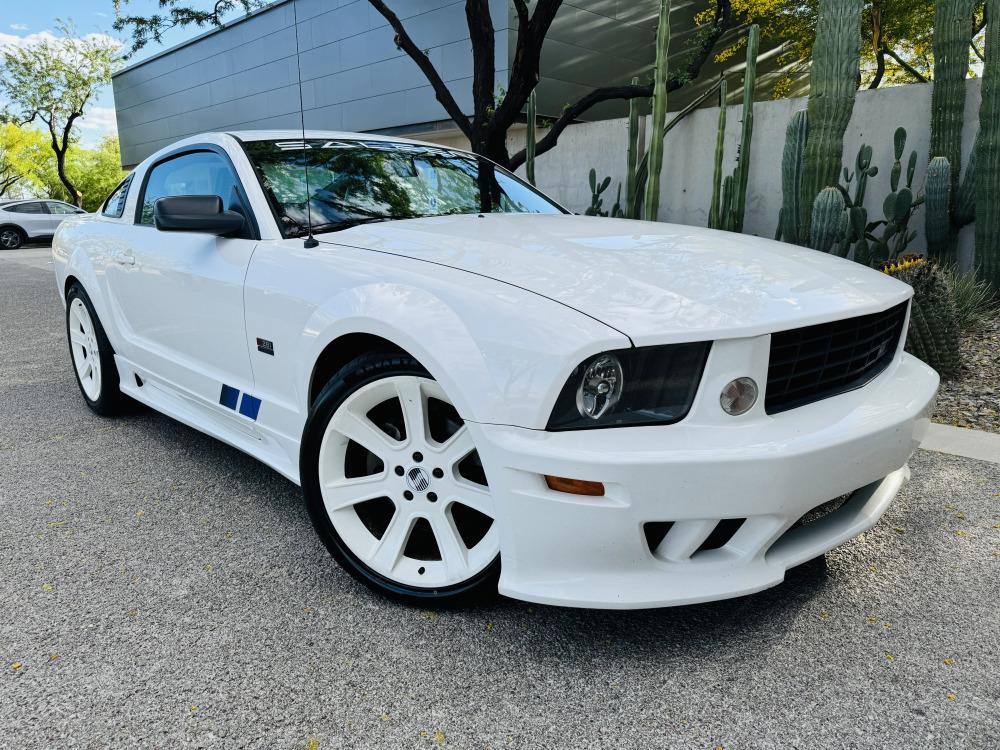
x=973 y=400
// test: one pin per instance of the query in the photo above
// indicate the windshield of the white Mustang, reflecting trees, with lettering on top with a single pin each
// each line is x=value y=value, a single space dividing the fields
x=353 y=182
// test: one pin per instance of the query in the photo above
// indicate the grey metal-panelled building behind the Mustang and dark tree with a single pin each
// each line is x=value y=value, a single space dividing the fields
x=354 y=78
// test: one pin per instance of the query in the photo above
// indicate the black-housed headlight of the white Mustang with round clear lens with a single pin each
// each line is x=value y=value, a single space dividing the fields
x=648 y=385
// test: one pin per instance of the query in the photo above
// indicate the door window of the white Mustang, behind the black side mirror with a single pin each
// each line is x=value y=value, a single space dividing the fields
x=197 y=173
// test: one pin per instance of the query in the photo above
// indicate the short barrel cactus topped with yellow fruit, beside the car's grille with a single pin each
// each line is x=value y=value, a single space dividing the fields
x=933 y=335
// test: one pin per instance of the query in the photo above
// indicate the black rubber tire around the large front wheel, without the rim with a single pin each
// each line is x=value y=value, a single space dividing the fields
x=362 y=371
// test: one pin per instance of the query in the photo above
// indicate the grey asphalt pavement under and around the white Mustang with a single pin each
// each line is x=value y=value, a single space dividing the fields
x=160 y=590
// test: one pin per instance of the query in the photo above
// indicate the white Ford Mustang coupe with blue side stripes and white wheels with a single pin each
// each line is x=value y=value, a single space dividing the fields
x=477 y=390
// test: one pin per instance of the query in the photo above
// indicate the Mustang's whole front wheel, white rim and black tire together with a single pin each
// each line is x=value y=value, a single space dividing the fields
x=395 y=487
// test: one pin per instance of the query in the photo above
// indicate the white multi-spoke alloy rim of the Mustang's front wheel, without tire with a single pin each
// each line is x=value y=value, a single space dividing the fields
x=403 y=486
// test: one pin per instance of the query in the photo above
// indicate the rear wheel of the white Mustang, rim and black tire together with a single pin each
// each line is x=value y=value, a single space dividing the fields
x=92 y=356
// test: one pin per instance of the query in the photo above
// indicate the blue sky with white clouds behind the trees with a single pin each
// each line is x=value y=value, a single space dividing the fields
x=20 y=20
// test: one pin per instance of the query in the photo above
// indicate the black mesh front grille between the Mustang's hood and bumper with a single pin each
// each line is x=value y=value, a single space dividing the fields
x=809 y=364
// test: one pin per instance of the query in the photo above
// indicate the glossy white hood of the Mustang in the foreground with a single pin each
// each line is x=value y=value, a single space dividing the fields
x=651 y=281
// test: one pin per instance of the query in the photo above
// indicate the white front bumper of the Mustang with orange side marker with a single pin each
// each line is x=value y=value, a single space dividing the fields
x=767 y=471
